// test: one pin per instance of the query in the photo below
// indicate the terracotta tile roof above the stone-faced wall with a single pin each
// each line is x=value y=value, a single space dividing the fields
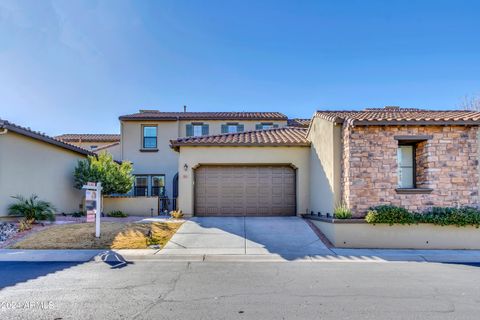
x=401 y=116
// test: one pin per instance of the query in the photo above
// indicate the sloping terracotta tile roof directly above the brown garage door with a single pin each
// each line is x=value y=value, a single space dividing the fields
x=288 y=136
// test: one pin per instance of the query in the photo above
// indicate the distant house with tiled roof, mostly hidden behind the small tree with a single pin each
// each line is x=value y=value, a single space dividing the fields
x=90 y=141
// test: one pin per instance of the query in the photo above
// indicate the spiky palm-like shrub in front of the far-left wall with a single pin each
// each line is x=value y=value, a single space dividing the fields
x=32 y=209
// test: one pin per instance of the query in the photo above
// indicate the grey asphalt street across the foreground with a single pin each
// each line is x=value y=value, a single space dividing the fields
x=227 y=290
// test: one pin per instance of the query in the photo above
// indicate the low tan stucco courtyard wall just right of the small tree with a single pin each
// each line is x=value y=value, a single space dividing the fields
x=134 y=206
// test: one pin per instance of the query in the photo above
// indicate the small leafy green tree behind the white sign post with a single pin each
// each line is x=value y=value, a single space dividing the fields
x=115 y=177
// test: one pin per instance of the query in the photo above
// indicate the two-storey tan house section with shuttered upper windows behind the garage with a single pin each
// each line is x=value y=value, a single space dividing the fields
x=145 y=141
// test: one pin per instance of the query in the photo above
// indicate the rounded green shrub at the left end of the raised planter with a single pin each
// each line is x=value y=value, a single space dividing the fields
x=390 y=214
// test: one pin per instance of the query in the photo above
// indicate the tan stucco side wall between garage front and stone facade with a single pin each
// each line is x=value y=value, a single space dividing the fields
x=325 y=166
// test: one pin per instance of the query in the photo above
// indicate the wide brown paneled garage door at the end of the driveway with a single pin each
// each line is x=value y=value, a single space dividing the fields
x=244 y=191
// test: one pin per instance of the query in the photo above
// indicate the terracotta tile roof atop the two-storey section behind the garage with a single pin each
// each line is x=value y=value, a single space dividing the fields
x=157 y=115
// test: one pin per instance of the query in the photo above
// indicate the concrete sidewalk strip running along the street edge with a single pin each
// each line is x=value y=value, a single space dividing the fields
x=336 y=255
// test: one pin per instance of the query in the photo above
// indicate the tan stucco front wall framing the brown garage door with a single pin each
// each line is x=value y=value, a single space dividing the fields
x=299 y=157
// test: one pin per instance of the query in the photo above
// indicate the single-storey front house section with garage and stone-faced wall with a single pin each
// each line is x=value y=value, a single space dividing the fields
x=406 y=157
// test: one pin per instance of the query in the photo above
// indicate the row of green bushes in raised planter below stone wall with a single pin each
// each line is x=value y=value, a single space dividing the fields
x=443 y=216
